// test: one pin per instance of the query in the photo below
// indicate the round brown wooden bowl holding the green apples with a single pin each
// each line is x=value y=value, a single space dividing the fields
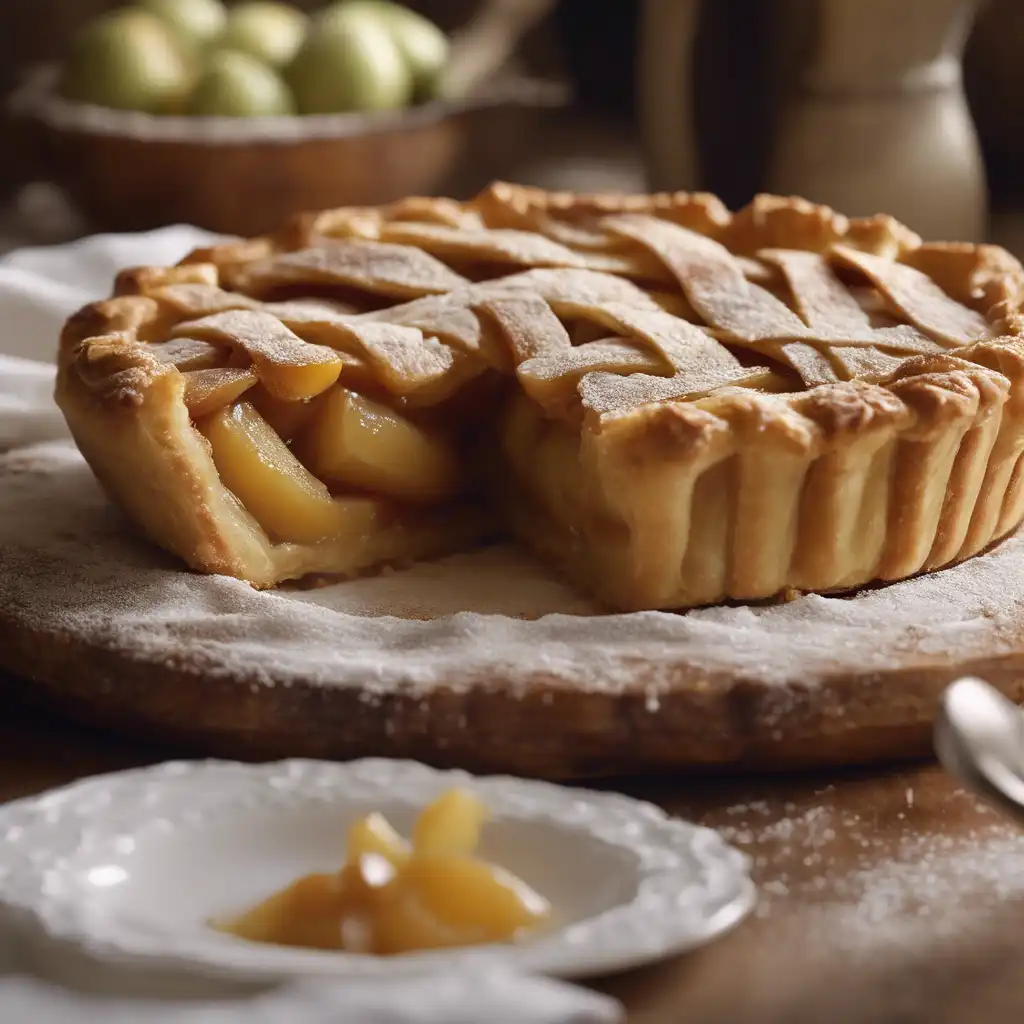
x=131 y=172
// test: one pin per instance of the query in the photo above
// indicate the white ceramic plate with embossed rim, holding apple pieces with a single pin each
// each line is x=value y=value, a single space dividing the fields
x=131 y=867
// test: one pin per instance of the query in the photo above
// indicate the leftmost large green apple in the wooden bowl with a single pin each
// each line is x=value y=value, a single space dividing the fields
x=129 y=60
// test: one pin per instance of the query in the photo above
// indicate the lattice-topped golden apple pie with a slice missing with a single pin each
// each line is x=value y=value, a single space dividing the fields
x=671 y=404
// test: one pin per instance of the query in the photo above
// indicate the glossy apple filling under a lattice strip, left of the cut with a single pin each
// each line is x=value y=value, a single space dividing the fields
x=310 y=459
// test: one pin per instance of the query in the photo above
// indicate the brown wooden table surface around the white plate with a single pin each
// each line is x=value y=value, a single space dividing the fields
x=855 y=870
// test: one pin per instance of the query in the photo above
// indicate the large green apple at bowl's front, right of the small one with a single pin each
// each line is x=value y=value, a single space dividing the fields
x=350 y=62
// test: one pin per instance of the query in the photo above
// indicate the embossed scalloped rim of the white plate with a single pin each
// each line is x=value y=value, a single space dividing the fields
x=669 y=928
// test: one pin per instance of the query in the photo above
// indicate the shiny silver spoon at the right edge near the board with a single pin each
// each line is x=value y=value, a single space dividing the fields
x=979 y=740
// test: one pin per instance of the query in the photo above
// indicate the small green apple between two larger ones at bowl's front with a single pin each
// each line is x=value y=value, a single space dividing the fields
x=237 y=86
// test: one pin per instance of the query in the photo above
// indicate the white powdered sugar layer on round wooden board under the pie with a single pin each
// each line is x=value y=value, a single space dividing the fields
x=71 y=568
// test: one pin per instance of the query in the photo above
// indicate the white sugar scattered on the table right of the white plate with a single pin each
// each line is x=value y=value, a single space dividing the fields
x=881 y=872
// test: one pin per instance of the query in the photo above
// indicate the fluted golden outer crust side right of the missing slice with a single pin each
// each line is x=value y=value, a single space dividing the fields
x=743 y=500
